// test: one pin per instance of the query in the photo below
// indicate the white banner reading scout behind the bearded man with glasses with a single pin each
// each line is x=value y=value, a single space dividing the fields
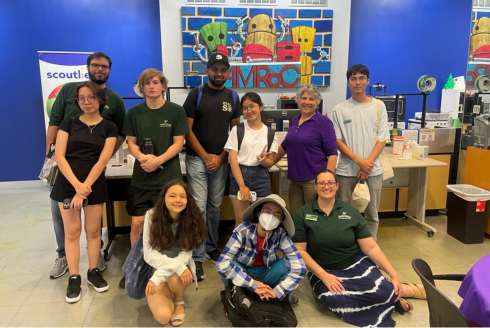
x=58 y=68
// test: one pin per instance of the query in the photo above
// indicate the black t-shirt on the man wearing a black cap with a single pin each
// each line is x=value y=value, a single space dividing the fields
x=212 y=118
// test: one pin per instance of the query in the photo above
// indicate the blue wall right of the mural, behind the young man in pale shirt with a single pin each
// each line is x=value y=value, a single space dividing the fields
x=392 y=39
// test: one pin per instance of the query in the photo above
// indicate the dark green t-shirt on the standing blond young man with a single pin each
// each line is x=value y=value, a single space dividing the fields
x=161 y=125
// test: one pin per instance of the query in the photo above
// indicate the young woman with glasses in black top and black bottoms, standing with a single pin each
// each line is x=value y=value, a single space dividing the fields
x=84 y=145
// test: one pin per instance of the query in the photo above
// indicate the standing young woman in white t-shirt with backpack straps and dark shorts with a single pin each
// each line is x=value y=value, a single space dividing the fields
x=250 y=161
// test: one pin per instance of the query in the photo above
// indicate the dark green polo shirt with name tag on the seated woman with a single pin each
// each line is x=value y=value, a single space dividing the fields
x=332 y=238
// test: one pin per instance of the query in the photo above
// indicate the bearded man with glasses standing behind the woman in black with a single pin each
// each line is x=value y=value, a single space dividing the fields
x=99 y=67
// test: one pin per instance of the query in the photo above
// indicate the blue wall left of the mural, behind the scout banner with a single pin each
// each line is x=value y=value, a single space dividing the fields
x=31 y=25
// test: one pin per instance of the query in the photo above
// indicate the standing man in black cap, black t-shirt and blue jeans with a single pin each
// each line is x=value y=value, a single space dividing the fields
x=211 y=110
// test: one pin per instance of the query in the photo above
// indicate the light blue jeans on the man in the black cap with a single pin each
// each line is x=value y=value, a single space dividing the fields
x=207 y=188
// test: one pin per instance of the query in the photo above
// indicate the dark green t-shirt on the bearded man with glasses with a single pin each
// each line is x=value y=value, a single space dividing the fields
x=64 y=106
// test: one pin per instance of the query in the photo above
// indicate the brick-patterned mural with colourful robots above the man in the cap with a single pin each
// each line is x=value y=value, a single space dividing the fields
x=267 y=48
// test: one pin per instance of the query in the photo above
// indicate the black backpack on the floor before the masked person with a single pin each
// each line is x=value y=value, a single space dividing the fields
x=244 y=308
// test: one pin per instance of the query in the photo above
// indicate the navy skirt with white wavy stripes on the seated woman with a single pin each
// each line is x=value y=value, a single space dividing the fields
x=368 y=299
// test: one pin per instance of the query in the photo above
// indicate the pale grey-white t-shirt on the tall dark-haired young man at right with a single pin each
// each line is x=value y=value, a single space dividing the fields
x=356 y=125
